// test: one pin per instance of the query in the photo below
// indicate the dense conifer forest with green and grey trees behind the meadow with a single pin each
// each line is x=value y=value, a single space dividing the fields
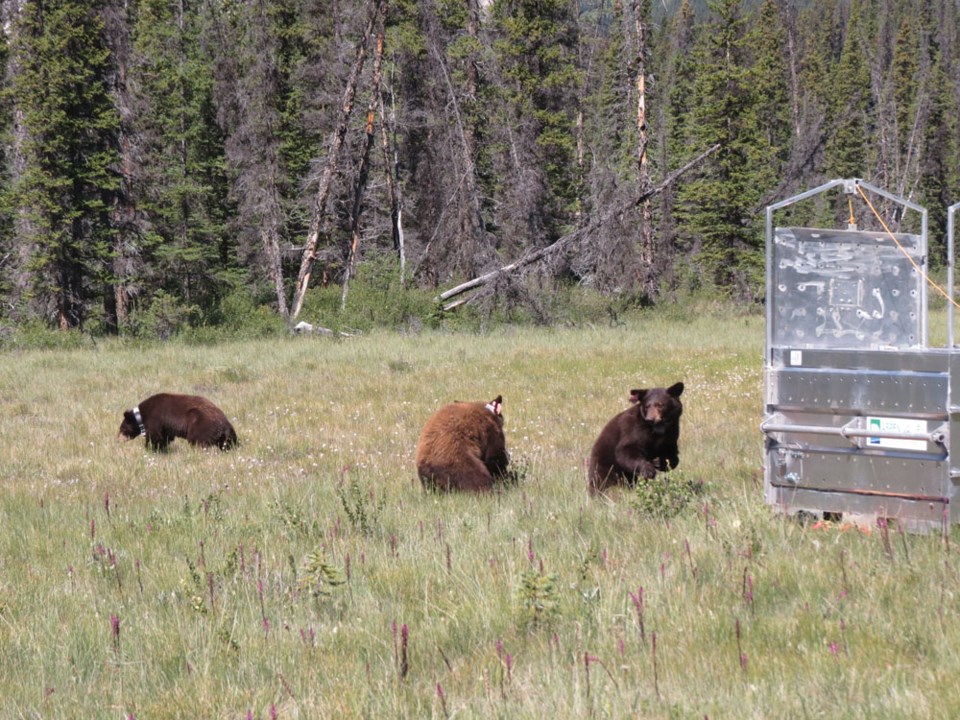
x=164 y=158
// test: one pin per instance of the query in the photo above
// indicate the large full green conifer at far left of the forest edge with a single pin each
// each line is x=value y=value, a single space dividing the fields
x=68 y=180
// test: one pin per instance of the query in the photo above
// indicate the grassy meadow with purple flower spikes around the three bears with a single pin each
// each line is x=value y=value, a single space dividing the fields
x=306 y=574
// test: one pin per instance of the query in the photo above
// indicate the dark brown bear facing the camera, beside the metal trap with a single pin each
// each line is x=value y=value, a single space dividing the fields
x=640 y=440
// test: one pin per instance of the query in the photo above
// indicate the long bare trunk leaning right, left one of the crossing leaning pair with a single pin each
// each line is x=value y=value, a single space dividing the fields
x=320 y=201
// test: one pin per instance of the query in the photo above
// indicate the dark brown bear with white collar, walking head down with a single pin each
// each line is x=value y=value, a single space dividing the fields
x=161 y=418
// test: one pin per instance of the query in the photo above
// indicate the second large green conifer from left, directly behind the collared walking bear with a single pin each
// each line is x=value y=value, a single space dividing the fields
x=181 y=176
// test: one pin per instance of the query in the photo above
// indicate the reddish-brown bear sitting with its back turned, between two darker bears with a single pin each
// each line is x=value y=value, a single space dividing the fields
x=462 y=447
